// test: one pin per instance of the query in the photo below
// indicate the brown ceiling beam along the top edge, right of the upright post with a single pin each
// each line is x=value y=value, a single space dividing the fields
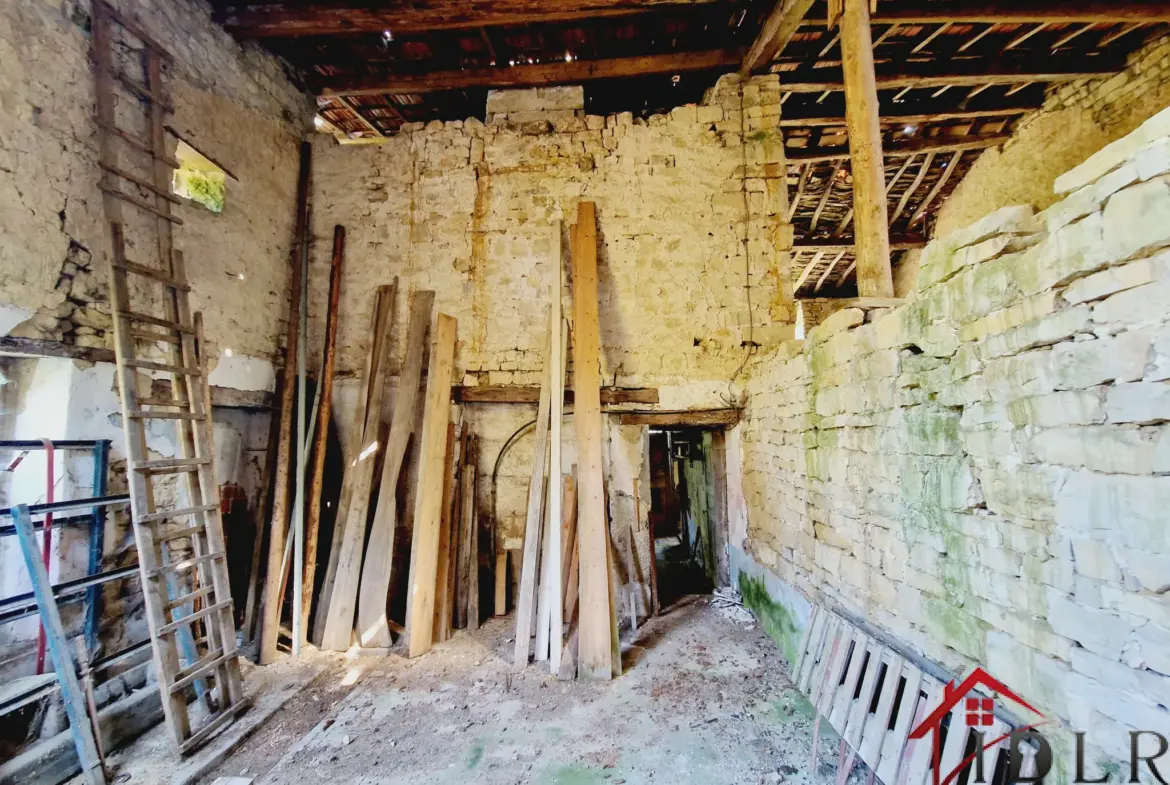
x=1004 y=12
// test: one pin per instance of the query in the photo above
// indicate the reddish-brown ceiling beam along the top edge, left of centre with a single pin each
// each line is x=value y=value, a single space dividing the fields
x=290 y=19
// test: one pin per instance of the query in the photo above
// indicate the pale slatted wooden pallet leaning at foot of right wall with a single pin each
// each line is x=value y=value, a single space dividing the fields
x=873 y=698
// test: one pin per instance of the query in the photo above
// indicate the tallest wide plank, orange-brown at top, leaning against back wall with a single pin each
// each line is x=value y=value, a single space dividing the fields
x=596 y=610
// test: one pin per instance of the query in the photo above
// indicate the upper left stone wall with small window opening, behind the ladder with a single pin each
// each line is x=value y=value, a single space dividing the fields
x=236 y=105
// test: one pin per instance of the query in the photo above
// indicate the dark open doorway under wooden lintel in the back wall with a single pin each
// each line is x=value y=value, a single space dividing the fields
x=689 y=521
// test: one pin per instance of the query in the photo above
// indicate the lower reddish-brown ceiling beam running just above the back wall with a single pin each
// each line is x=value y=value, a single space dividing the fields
x=527 y=77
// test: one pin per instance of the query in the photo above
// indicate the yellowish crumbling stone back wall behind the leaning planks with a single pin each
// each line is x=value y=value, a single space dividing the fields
x=479 y=214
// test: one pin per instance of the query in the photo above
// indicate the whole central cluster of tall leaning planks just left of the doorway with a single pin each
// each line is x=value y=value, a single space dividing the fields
x=567 y=571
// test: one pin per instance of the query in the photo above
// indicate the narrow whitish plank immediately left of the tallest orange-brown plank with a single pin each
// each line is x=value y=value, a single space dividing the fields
x=558 y=385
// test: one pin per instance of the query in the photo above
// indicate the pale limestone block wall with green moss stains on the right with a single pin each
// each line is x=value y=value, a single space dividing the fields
x=981 y=471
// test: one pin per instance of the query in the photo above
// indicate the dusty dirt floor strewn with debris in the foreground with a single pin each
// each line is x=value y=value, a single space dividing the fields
x=704 y=700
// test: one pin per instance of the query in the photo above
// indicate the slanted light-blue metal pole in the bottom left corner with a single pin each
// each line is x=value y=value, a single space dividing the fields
x=72 y=694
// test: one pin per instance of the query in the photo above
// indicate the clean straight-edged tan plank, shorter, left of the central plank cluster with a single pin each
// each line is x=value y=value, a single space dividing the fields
x=429 y=504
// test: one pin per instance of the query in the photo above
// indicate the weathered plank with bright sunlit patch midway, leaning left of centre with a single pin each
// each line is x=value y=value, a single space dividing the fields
x=339 y=631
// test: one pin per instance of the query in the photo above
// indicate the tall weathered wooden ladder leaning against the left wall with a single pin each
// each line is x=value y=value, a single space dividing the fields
x=155 y=333
